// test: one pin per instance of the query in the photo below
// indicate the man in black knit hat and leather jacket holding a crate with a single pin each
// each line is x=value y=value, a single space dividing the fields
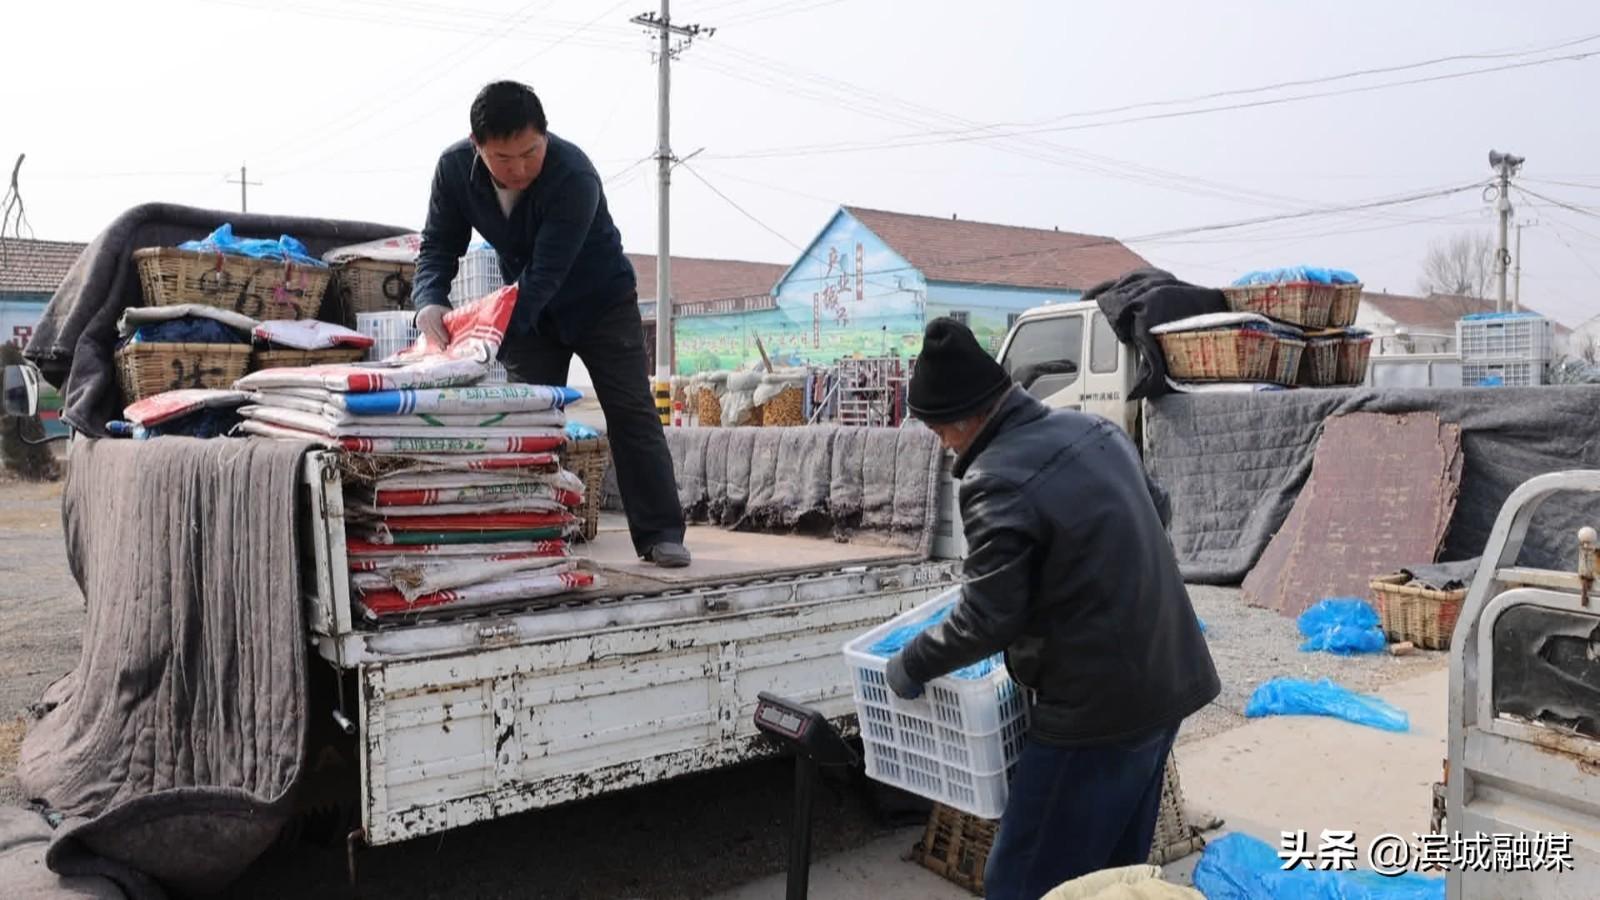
x=1070 y=573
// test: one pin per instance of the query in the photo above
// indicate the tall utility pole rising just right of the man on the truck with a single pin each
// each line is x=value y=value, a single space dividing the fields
x=665 y=31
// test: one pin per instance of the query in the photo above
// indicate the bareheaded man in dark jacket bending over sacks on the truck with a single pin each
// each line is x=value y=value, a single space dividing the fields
x=538 y=201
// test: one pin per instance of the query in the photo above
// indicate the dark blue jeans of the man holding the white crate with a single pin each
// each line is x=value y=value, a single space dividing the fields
x=1074 y=811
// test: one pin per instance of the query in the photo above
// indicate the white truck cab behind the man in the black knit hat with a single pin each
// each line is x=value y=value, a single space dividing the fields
x=1068 y=356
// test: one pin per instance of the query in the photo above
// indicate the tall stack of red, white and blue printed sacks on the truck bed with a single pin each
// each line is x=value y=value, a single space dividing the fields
x=455 y=496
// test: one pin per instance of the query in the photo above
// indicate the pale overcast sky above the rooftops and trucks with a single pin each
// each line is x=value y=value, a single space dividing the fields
x=342 y=108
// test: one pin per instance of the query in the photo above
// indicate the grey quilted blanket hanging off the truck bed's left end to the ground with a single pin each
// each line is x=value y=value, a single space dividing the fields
x=174 y=747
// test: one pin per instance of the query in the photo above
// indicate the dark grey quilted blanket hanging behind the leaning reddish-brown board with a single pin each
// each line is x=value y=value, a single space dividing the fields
x=1234 y=465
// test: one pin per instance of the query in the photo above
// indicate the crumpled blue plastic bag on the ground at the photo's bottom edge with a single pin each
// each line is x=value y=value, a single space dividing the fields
x=1239 y=867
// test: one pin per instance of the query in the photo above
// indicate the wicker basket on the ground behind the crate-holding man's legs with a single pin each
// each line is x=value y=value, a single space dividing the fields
x=956 y=845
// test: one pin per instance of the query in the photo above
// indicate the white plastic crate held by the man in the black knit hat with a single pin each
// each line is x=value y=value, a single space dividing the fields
x=958 y=744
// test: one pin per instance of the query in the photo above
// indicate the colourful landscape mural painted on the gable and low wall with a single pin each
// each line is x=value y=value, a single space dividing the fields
x=850 y=295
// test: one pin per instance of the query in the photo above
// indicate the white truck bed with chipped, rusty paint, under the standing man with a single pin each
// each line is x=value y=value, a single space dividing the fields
x=476 y=717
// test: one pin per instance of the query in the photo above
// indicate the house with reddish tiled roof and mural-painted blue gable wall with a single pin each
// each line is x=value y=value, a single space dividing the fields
x=871 y=279
